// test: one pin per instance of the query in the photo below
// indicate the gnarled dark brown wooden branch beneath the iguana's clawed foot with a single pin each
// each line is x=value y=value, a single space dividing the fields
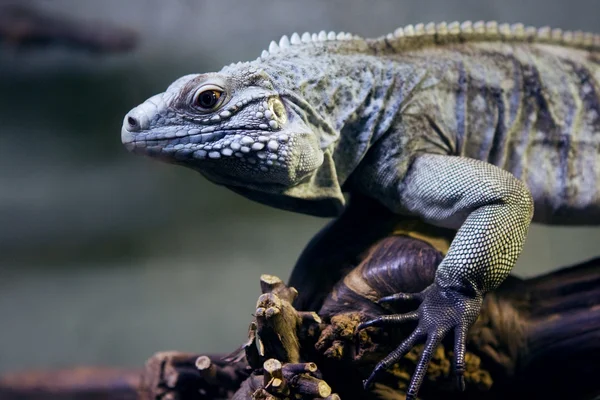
x=535 y=338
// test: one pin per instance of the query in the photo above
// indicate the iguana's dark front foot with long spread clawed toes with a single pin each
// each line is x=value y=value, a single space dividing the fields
x=441 y=310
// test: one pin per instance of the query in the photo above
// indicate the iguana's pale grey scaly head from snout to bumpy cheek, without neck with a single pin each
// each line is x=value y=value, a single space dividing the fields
x=234 y=127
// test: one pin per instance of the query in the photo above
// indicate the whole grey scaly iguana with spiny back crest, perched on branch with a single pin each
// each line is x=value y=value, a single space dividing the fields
x=464 y=125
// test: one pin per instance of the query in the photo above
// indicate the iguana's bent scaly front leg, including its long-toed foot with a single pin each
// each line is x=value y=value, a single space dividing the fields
x=491 y=210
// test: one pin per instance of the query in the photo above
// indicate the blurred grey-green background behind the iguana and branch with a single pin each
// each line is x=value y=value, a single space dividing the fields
x=106 y=257
